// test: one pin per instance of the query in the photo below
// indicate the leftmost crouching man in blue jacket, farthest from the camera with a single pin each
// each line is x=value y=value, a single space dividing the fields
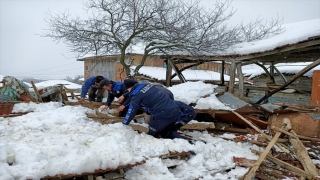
x=92 y=87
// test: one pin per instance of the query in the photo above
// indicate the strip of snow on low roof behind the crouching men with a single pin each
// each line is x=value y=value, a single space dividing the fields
x=159 y=73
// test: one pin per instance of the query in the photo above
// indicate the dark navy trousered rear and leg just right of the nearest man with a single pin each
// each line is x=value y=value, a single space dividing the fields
x=186 y=115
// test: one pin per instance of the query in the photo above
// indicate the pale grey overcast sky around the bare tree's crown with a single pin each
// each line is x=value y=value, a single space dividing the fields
x=24 y=53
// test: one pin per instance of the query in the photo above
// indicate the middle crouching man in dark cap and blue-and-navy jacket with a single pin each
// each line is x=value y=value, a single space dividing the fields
x=115 y=89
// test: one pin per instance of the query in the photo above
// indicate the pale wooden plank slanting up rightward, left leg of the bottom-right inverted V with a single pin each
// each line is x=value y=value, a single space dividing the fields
x=250 y=174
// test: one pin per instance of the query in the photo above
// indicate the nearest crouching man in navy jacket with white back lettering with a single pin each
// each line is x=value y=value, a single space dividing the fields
x=164 y=111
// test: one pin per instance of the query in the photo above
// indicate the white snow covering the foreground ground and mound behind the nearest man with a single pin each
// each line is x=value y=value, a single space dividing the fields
x=56 y=139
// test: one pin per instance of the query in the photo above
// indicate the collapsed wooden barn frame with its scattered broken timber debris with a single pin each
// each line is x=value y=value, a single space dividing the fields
x=289 y=132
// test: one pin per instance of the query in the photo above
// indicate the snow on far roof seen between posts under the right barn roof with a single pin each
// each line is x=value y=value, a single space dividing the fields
x=253 y=70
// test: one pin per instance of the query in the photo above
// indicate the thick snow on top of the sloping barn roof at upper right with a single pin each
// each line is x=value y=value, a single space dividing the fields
x=292 y=33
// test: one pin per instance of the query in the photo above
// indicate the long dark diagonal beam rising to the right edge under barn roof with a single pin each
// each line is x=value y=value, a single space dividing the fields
x=294 y=78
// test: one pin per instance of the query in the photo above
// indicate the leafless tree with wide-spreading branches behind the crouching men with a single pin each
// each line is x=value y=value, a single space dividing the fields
x=158 y=26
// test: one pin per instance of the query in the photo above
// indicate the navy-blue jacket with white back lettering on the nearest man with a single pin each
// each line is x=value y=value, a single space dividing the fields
x=154 y=100
